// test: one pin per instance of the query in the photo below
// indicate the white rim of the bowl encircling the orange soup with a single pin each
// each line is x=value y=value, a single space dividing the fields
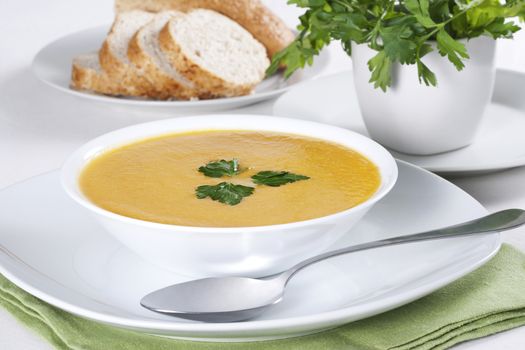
x=69 y=170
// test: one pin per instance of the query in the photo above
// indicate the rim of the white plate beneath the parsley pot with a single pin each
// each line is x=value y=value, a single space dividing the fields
x=450 y=169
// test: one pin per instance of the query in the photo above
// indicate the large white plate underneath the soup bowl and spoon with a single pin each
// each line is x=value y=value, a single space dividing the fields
x=51 y=248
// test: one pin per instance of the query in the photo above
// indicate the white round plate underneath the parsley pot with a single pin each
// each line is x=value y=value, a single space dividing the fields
x=500 y=143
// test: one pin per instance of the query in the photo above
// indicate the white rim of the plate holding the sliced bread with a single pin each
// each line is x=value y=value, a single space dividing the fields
x=317 y=71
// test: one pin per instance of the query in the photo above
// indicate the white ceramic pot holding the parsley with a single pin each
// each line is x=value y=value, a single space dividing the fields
x=415 y=119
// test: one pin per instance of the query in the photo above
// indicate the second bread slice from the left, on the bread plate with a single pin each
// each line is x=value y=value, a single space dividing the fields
x=113 y=55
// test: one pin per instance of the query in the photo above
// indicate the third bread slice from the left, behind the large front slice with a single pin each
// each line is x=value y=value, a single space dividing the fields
x=144 y=52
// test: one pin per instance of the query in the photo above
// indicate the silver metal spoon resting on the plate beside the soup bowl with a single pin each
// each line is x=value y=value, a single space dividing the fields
x=230 y=299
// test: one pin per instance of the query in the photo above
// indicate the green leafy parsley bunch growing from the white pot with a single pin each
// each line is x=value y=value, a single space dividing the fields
x=400 y=31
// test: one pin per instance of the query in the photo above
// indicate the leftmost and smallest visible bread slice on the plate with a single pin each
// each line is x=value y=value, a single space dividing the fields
x=87 y=75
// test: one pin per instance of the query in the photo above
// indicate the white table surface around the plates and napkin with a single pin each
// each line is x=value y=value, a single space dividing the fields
x=39 y=127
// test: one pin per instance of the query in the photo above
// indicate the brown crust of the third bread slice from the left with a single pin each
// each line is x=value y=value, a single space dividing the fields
x=164 y=86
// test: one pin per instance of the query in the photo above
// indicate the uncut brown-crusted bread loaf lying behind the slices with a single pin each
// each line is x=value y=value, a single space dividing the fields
x=253 y=15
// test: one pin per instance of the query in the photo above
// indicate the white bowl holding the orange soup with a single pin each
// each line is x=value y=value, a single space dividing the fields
x=247 y=251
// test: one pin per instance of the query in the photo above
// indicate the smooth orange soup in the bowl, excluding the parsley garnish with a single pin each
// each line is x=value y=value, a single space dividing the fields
x=156 y=179
